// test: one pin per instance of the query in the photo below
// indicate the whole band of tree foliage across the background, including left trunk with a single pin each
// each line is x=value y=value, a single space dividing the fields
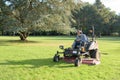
x=25 y=17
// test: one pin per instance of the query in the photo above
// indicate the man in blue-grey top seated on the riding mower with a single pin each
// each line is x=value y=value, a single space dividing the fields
x=81 y=40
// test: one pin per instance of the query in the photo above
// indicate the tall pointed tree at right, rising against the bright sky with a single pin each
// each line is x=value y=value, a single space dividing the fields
x=107 y=17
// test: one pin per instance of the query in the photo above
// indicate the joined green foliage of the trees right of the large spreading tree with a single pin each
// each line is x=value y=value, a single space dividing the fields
x=94 y=15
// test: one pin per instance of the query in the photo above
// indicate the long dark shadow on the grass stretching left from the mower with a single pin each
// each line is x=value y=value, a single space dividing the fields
x=34 y=63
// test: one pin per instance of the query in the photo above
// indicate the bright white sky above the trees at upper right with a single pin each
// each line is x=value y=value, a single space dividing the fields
x=112 y=4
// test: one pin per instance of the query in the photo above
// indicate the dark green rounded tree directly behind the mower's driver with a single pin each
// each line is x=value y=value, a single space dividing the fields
x=86 y=17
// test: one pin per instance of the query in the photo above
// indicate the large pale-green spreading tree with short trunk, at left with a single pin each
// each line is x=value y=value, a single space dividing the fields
x=38 y=15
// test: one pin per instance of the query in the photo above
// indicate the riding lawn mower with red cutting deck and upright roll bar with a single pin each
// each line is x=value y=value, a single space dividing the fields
x=81 y=54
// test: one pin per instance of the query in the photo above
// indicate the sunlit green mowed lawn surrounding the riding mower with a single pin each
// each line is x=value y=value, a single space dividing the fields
x=32 y=60
